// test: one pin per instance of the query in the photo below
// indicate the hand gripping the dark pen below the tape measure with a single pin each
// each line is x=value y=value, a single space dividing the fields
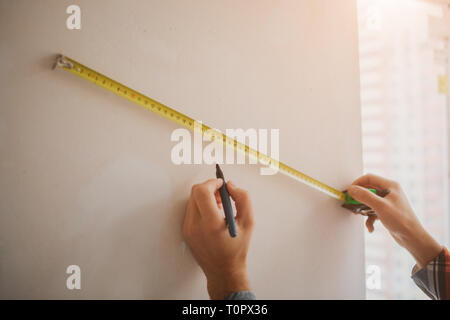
x=222 y=258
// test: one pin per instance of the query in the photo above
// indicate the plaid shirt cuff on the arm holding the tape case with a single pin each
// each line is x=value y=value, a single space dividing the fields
x=434 y=278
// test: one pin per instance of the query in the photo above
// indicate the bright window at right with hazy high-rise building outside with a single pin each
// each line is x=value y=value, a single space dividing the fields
x=404 y=53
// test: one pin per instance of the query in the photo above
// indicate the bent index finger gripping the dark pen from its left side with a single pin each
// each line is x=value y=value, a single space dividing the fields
x=205 y=200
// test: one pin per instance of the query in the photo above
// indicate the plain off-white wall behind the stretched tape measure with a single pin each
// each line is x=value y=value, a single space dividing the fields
x=86 y=177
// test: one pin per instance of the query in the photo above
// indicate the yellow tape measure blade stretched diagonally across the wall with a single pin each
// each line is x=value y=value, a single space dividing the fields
x=188 y=122
